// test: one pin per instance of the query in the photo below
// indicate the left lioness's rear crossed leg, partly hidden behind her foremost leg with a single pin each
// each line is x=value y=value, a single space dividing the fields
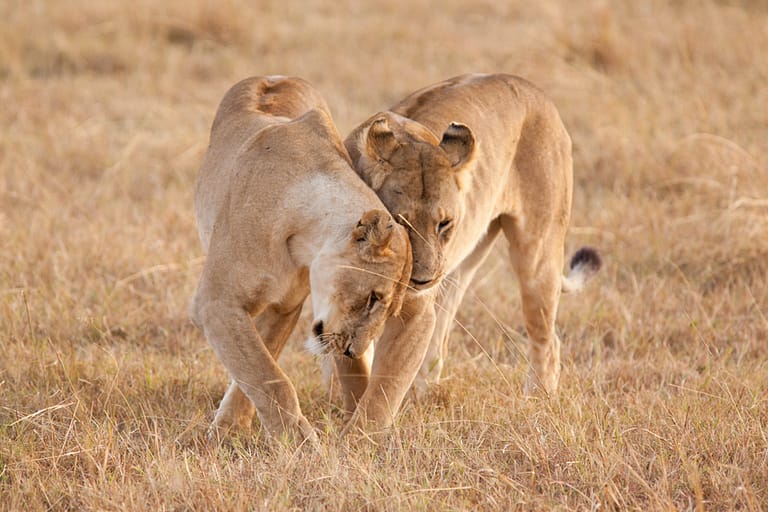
x=236 y=410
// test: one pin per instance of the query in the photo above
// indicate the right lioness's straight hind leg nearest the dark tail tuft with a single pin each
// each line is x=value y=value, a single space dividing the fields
x=538 y=265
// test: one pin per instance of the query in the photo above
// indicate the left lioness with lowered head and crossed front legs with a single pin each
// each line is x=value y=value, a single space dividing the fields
x=280 y=211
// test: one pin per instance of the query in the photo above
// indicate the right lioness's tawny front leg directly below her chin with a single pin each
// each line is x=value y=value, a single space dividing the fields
x=397 y=357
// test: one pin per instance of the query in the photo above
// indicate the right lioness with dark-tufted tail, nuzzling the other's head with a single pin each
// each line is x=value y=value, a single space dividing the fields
x=457 y=163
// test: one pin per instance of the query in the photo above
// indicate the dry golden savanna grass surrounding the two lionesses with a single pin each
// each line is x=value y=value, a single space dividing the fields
x=106 y=389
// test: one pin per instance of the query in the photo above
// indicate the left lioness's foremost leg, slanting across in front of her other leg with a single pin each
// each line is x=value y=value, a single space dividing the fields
x=238 y=345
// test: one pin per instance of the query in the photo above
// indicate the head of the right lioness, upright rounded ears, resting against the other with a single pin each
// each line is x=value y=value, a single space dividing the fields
x=421 y=179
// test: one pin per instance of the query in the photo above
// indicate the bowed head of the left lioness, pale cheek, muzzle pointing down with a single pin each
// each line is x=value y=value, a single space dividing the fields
x=353 y=293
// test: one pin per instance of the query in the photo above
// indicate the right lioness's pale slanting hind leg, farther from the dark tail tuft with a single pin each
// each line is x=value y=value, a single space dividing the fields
x=447 y=303
